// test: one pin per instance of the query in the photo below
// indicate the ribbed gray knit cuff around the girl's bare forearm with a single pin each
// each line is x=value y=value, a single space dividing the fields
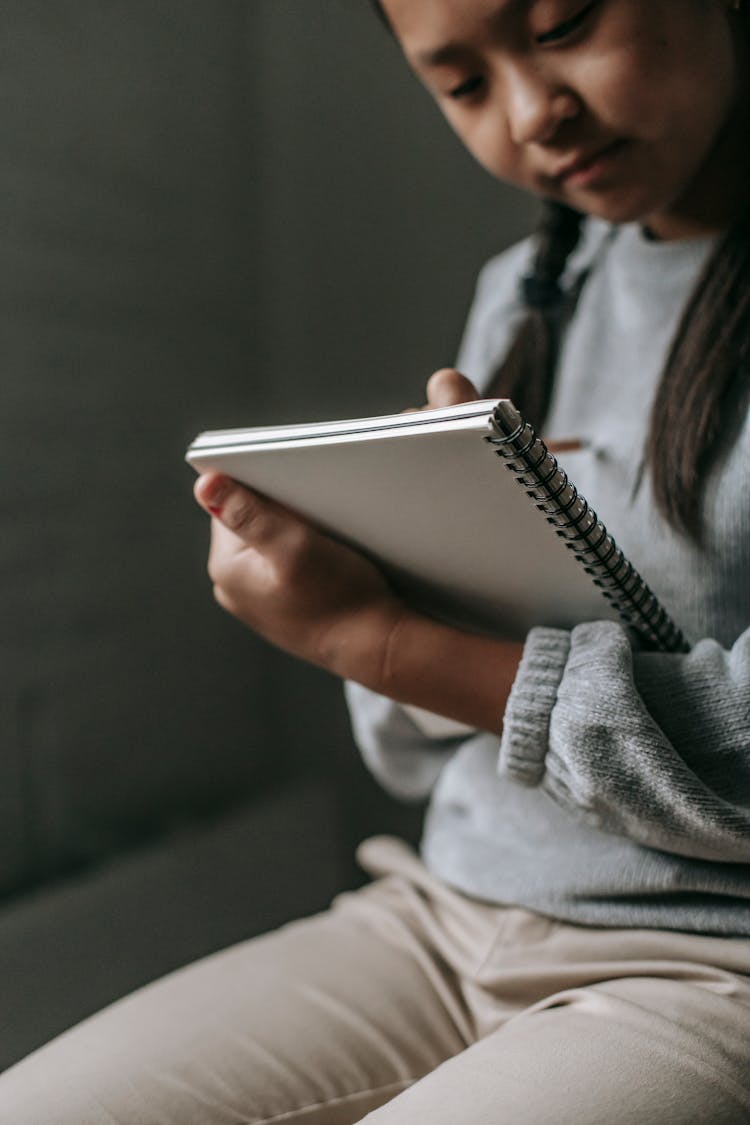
x=527 y=723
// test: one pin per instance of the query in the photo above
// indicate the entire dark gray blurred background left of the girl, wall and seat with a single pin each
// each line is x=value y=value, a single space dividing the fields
x=215 y=213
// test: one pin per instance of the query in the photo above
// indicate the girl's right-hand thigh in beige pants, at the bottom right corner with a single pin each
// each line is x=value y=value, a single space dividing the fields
x=624 y=1052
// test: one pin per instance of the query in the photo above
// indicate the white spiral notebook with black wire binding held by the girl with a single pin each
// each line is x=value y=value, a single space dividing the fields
x=465 y=508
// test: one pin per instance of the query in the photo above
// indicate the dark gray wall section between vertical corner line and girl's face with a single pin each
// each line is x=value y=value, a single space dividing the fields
x=374 y=221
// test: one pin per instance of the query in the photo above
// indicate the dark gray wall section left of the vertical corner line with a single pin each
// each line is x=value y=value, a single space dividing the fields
x=126 y=316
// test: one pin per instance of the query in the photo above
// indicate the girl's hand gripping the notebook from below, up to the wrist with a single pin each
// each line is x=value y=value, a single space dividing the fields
x=294 y=586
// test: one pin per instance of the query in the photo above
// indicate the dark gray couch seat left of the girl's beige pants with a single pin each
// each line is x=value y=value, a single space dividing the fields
x=68 y=952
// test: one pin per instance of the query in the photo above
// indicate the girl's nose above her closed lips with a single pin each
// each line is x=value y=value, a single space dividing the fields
x=536 y=106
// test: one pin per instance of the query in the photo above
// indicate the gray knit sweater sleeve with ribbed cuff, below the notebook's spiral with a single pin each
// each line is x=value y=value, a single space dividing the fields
x=648 y=745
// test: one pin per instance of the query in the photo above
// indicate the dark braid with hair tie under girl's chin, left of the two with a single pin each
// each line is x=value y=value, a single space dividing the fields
x=528 y=373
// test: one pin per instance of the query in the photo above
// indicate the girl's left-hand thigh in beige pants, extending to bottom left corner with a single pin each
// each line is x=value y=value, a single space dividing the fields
x=320 y=1022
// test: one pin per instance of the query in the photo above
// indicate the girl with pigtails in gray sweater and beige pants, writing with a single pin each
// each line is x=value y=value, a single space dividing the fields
x=572 y=946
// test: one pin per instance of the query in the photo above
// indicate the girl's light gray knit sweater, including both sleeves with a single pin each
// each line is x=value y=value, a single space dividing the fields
x=620 y=793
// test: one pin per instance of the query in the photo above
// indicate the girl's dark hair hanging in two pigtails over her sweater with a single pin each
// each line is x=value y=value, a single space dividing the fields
x=710 y=356
